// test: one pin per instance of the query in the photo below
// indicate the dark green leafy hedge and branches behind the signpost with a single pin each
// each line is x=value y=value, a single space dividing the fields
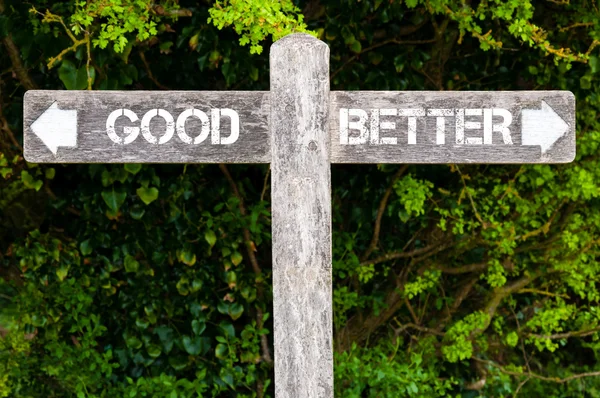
x=131 y=280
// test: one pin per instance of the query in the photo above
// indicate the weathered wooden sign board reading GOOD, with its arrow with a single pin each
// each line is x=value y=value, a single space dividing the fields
x=146 y=127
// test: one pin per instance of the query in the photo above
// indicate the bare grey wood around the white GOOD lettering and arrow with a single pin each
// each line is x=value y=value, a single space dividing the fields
x=95 y=146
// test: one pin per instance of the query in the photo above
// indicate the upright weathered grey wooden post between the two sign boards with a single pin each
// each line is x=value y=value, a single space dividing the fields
x=301 y=211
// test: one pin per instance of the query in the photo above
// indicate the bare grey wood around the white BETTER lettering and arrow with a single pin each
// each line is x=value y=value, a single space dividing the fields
x=426 y=149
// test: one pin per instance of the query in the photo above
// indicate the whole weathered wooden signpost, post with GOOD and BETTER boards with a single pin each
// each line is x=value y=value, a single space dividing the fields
x=300 y=127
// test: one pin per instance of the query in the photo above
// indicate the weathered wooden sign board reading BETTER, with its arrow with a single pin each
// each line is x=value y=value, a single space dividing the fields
x=452 y=127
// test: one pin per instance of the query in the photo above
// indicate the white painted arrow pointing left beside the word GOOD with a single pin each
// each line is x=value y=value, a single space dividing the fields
x=56 y=128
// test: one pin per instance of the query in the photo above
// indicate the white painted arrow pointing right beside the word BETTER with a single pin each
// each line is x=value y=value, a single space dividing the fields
x=542 y=127
